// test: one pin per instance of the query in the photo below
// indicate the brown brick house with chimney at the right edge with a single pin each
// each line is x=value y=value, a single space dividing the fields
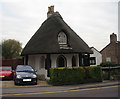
x=111 y=53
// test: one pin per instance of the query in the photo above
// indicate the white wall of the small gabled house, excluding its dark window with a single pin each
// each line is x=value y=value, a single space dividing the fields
x=98 y=56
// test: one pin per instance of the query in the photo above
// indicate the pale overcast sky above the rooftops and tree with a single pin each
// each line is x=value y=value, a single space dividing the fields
x=92 y=20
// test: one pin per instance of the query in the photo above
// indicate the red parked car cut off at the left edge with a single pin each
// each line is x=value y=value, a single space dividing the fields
x=6 y=73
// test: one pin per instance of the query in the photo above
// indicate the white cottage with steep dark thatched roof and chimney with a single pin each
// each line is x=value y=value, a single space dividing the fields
x=55 y=44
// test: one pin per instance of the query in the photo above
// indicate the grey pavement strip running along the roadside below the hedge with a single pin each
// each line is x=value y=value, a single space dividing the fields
x=7 y=84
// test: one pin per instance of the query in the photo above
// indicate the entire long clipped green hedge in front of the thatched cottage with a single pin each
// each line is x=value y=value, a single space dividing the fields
x=75 y=75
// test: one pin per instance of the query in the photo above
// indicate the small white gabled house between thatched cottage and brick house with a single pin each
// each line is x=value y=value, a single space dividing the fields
x=95 y=58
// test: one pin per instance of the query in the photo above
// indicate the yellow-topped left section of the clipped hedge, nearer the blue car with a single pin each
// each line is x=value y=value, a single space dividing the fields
x=67 y=75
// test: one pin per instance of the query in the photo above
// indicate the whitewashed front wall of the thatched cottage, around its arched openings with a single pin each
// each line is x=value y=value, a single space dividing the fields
x=35 y=62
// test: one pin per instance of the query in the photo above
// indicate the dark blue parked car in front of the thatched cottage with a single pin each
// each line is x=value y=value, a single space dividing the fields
x=25 y=74
